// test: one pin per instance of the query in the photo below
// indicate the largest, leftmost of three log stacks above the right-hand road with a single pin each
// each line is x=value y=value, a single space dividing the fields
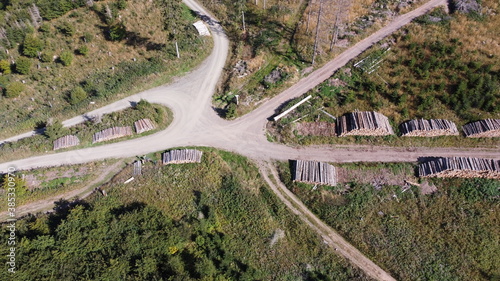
x=364 y=123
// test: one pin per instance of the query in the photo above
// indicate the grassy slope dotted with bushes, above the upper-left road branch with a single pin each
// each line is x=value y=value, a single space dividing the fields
x=116 y=48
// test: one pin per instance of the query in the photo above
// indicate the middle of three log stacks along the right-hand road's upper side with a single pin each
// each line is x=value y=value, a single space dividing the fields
x=428 y=128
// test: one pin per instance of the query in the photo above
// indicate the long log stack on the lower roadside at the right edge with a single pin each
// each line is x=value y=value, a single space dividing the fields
x=462 y=167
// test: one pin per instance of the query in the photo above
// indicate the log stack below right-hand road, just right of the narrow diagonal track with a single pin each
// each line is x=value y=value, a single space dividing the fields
x=314 y=172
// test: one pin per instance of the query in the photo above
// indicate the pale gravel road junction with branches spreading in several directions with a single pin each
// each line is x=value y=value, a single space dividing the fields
x=196 y=124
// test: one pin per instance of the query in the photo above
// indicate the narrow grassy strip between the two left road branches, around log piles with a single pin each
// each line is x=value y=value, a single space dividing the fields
x=43 y=144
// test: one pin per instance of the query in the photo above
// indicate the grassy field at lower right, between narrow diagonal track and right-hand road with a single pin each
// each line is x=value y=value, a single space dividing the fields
x=451 y=234
